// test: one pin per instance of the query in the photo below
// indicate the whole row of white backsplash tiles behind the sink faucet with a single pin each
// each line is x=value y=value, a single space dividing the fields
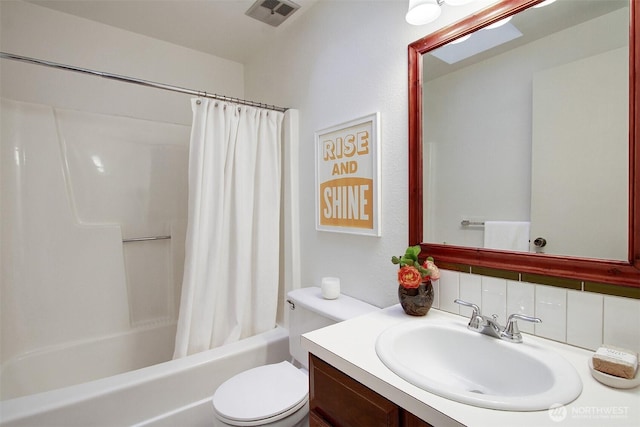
x=579 y=318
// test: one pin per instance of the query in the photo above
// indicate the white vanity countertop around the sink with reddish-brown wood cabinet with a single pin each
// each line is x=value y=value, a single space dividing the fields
x=350 y=385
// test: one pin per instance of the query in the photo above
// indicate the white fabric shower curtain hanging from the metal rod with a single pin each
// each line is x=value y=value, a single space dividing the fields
x=230 y=283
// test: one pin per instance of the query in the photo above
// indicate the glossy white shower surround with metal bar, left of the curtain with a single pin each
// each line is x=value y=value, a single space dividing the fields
x=78 y=302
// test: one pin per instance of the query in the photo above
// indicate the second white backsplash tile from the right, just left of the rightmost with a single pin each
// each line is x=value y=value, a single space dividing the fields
x=584 y=319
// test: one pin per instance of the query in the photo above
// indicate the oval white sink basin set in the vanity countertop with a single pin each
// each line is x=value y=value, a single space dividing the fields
x=449 y=360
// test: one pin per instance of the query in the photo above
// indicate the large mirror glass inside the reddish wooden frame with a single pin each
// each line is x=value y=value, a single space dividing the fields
x=552 y=160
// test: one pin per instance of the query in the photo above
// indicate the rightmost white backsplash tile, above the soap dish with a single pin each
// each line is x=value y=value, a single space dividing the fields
x=622 y=322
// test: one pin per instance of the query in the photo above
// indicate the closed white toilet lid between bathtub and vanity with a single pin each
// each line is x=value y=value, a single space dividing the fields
x=269 y=391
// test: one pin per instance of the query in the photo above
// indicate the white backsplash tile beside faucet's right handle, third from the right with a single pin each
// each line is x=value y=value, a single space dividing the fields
x=551 y=307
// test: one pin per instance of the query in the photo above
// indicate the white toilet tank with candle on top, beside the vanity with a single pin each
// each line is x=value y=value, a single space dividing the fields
x=310 y=311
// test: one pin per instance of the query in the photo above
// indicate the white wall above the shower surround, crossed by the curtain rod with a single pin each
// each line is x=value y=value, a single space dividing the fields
x=42 y=33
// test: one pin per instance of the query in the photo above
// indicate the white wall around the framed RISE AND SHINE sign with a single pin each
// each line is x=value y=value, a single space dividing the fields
x=339 y=61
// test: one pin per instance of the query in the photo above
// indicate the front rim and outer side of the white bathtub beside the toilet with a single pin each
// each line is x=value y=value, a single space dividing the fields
x=173 y=393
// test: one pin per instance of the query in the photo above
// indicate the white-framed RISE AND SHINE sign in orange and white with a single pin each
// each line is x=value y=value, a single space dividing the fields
x=348 y=177
